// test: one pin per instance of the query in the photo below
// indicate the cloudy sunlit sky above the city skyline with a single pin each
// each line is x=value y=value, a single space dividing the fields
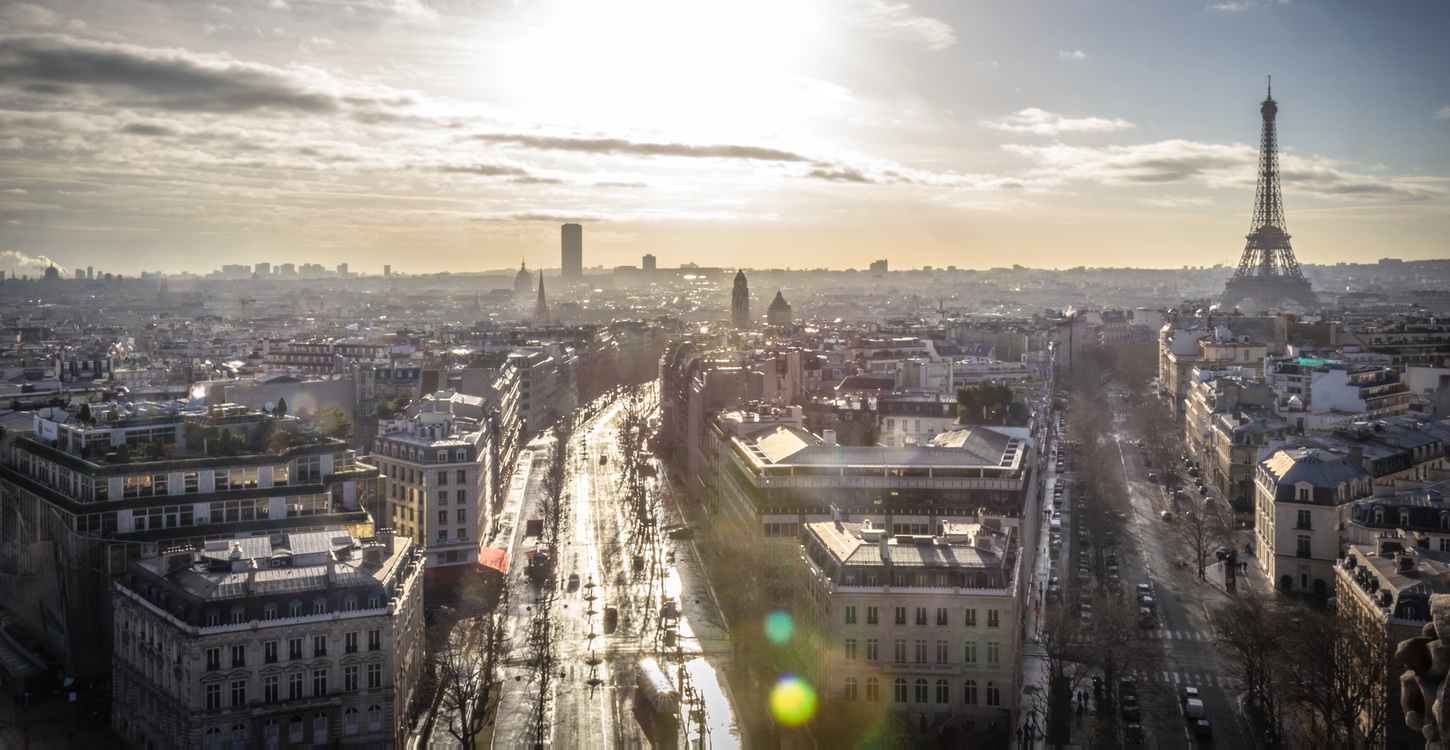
x=442 y=136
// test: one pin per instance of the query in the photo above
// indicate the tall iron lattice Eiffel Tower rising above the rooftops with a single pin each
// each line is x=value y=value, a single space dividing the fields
x=1268 y=273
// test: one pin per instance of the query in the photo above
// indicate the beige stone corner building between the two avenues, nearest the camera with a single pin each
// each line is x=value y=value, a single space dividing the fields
x=919 y=625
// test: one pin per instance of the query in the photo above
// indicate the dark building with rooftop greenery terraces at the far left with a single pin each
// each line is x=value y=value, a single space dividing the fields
x=98 y=487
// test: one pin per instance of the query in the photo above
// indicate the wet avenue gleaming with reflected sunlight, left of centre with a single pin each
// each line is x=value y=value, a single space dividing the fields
x=655 y=590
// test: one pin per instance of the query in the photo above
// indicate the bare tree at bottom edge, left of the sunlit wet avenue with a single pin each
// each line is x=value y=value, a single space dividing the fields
x=468 y=656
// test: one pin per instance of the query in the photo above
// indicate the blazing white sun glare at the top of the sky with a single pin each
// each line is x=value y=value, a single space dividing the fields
x=692 y=70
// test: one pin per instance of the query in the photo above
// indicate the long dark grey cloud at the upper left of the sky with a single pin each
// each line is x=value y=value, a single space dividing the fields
x=162 y=79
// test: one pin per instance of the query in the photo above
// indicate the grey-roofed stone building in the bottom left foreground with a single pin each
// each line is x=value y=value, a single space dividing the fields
x=281 y=640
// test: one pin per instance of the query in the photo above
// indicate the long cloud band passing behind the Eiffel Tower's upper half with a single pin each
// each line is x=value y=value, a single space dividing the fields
x=1213 y=166
